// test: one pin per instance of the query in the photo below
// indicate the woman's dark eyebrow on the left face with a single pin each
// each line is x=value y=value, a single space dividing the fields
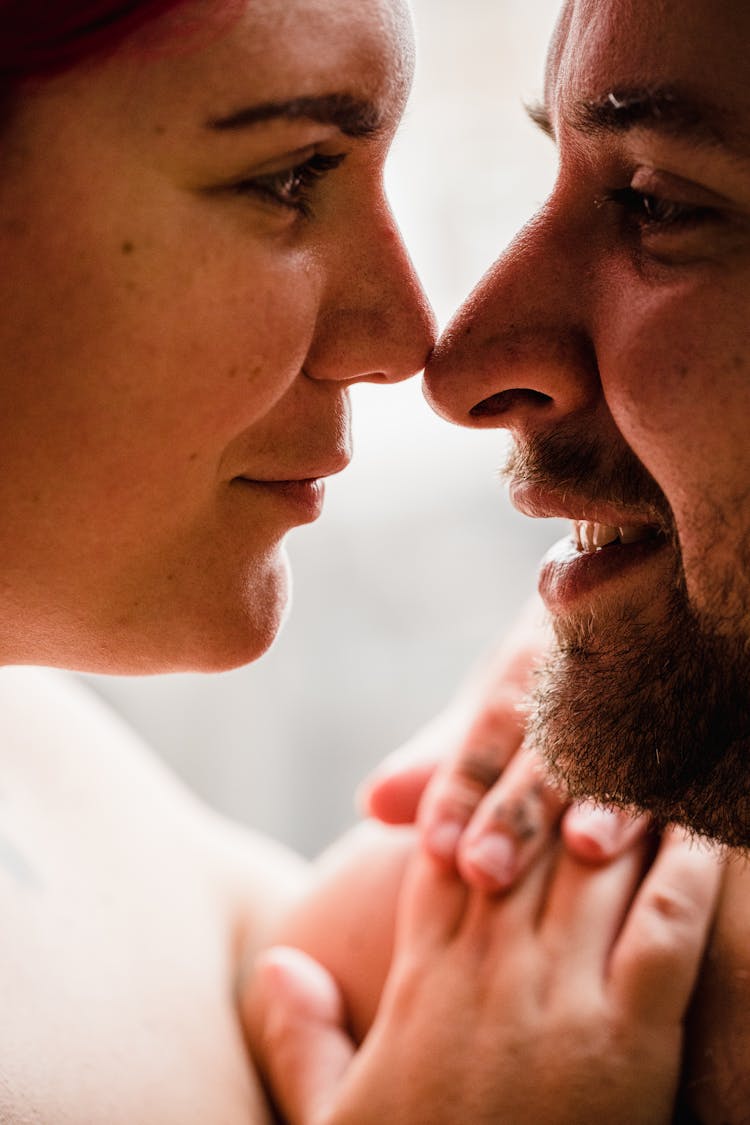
x=354 y=116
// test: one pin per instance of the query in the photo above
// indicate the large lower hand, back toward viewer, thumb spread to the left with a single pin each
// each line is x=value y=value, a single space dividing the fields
x=558 y=1003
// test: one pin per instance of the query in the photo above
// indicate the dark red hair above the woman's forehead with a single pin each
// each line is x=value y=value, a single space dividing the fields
x=41 y=38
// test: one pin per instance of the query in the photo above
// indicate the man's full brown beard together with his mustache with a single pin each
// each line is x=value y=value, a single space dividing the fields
x=646 y=709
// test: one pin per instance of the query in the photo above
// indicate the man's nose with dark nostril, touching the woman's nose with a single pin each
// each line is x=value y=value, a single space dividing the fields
x=519 y=354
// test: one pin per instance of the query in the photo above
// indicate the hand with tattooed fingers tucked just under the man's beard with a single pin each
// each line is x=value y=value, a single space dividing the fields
x=482 y=799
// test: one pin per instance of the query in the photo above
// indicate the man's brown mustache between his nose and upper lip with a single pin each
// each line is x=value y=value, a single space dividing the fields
x=563 y=463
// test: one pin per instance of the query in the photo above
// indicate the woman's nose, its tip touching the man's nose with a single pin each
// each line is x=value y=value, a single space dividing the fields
x=376 y=323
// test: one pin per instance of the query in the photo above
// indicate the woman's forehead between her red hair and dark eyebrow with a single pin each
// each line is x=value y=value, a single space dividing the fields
x=270 y=51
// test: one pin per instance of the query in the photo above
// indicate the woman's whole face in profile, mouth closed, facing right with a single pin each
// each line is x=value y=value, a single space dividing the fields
x=198 y=260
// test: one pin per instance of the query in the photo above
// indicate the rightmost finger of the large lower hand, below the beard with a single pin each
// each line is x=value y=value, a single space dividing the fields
x=656 y=960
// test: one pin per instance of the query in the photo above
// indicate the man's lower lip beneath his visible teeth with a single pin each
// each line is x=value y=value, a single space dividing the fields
x=571 y=573
